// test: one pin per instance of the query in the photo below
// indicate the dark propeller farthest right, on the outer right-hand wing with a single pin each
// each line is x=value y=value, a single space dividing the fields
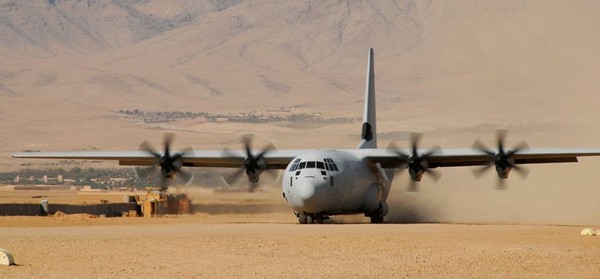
x=503 y=159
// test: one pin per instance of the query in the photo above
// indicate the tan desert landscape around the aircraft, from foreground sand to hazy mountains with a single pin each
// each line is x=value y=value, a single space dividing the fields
x=454 y=71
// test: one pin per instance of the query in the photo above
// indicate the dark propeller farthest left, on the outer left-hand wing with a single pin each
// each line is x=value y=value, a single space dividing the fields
x=170 y=164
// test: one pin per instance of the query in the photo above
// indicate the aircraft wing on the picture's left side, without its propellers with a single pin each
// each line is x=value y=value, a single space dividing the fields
x=275 y=159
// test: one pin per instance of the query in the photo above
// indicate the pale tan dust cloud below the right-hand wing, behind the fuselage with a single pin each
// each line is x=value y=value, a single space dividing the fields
x=565 y=194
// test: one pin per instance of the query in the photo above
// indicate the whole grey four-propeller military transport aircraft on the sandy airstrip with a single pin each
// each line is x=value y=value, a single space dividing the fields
x=319 y=183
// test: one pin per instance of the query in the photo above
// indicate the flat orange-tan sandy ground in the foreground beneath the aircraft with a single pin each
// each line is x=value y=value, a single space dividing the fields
x=265 y=242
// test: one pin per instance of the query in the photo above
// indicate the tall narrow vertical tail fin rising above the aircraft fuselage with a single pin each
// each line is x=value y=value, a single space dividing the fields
x=369 y=128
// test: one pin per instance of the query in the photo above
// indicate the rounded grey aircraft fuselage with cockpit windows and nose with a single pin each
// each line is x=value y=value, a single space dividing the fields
x=330 y=182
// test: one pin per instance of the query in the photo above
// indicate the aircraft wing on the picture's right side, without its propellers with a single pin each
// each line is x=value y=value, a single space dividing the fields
x=472 y=157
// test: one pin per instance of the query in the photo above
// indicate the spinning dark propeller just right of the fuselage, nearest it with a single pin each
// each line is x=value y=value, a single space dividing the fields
x=418 y=163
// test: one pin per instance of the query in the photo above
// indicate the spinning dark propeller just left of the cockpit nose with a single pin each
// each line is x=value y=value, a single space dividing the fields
x=253 y=165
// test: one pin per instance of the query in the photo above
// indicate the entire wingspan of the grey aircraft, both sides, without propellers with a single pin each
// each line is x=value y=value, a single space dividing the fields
x=279 y=159
